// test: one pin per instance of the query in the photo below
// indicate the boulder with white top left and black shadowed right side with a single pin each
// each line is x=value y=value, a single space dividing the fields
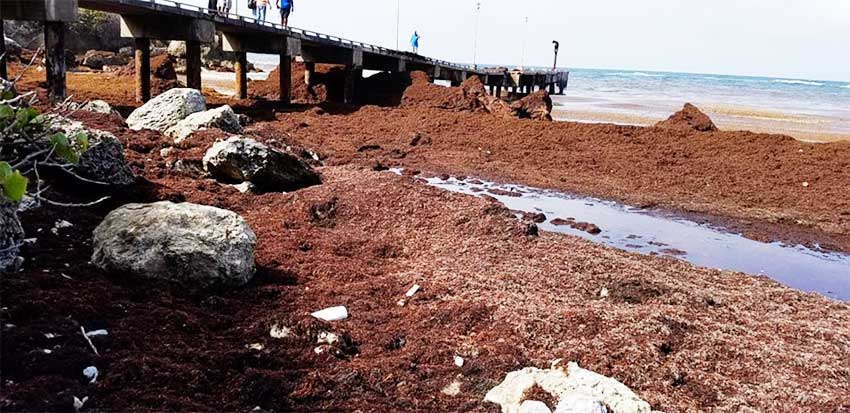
x=239 y=159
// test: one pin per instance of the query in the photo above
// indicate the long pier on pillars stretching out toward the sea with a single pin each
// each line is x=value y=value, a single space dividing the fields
x=146 y=20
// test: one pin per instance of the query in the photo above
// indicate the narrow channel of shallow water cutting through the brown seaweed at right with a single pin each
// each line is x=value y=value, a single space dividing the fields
x=656 y=233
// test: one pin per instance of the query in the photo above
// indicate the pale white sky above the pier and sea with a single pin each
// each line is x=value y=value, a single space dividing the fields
x=801 y=39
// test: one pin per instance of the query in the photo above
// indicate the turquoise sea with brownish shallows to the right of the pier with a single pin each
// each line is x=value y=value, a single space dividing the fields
x=802 y=107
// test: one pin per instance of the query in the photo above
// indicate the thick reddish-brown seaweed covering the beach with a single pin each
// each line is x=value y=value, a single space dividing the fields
x=496 y=290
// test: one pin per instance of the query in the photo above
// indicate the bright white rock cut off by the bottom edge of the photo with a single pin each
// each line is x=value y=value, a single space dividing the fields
x=578 y=390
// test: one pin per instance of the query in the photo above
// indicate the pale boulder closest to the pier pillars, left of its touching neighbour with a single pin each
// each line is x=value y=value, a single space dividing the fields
x=167 y=109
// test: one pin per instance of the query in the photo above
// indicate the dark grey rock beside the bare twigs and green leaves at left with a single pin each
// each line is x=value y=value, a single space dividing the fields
x=104 y=160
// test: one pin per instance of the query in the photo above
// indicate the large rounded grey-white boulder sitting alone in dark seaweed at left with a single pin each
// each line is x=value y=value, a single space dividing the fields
x=194 y=245
